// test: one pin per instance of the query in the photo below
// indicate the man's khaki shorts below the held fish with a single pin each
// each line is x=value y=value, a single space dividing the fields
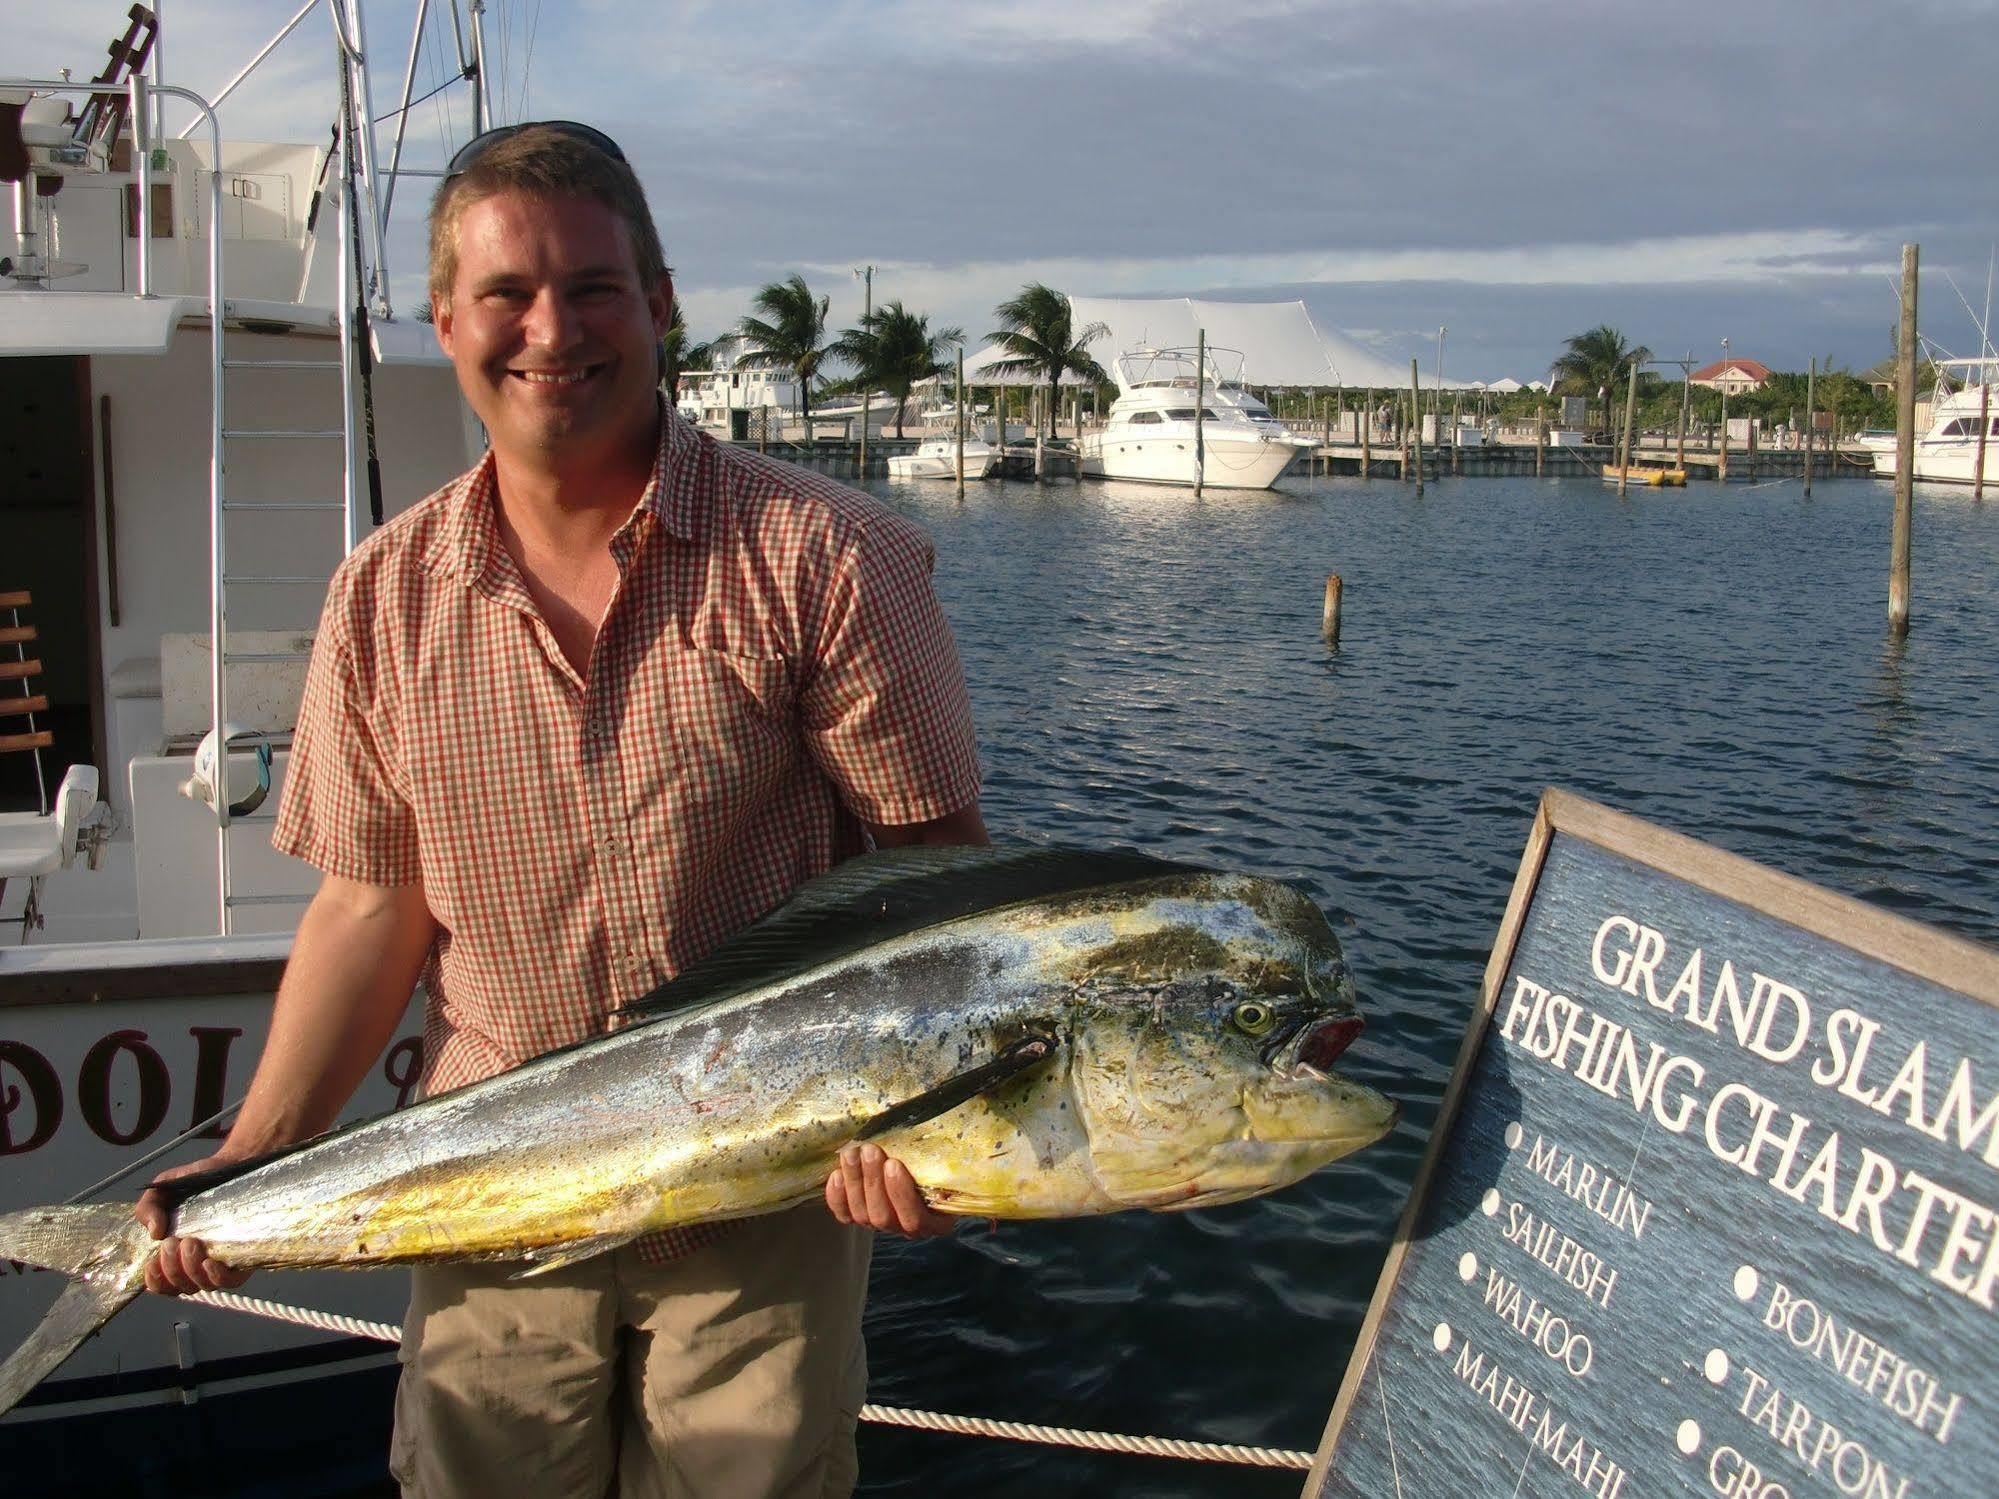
x=729 y=1374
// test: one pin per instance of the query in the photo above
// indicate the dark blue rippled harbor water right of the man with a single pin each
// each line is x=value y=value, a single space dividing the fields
x=1148 y=673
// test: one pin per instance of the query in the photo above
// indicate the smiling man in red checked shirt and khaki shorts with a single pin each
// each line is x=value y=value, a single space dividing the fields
x=571 y=723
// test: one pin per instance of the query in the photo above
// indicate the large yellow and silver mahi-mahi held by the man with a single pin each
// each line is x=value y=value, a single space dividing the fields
x=1032 y=1032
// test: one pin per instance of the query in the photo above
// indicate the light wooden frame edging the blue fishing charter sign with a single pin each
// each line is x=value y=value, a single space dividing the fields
x=1868 y=930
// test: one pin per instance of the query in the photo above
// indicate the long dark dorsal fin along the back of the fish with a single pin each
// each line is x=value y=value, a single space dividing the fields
x=891 y=894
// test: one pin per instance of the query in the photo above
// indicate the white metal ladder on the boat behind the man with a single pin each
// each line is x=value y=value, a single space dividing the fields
x=223 y=507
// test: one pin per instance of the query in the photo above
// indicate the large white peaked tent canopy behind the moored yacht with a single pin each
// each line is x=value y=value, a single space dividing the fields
x=1278 y=341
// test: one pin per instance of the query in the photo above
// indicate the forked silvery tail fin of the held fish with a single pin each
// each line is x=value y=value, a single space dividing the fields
x=103 y=1250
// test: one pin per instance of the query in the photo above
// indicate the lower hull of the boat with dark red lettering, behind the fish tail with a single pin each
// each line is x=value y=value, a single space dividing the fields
x=91 y=1086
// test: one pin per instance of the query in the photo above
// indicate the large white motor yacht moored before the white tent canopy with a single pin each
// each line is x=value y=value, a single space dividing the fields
x=1152 y=435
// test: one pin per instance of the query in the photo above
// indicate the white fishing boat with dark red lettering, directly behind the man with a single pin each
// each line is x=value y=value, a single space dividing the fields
x=213 y=403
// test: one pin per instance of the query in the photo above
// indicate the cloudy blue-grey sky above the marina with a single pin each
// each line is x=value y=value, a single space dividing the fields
x=1522 y=171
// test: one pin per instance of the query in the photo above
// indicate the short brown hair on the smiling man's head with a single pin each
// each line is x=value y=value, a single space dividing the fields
x=543 y=165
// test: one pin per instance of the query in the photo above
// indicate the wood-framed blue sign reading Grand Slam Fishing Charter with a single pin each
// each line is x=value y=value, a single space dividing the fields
x=1708 y=1208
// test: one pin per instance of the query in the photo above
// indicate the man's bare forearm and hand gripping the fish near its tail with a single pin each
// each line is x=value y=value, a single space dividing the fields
x=355 y=962
